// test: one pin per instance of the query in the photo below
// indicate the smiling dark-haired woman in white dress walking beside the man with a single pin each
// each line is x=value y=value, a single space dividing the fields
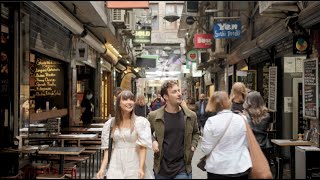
x=131 y=138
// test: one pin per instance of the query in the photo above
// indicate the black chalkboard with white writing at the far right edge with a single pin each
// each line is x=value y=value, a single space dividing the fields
x=310 y=89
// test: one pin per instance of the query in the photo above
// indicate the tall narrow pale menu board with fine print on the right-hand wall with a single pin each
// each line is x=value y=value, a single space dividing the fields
x=272 y=99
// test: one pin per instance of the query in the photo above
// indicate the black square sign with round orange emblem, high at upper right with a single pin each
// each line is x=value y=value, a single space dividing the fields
x=301 y=45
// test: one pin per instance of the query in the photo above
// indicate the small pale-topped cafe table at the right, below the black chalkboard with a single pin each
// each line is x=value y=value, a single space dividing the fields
x=291 y=144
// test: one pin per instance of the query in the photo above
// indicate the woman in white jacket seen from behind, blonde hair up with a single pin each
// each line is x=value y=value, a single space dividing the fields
x=225 y=141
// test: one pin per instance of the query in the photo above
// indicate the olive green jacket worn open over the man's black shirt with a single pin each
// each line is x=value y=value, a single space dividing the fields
x=191 y=135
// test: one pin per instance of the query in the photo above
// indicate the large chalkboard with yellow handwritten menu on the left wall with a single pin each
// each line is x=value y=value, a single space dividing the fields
x=47 y=81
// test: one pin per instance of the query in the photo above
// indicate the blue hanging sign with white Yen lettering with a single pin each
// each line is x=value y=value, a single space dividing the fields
x=229 y=29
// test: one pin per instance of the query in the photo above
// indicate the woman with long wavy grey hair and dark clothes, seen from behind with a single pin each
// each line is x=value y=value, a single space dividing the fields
x=258 y=118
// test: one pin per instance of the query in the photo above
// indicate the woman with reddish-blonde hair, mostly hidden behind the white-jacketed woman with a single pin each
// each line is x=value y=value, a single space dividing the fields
x=237 y=97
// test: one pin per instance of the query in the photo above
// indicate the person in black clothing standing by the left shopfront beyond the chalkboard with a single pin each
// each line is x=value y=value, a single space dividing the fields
x=87 y=108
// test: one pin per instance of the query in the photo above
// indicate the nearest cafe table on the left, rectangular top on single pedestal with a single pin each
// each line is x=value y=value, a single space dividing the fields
x=62 y=151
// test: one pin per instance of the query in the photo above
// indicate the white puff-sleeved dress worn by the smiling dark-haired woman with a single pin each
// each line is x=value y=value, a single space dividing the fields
x=124 y=162
